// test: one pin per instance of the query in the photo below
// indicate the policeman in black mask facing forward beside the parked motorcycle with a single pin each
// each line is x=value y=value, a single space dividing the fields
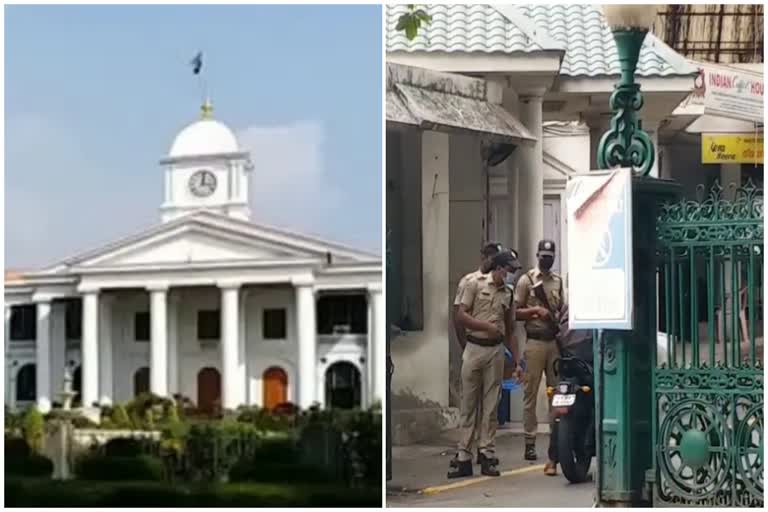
x=541 y=350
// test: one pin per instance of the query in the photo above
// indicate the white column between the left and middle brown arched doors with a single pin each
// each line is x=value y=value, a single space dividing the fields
x=158 y=348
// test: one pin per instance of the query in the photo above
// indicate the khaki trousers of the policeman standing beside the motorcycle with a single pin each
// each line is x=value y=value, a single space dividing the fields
x=540 y=356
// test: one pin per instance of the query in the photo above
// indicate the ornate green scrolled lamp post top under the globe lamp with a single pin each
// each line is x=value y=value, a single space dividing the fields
x=625 y=144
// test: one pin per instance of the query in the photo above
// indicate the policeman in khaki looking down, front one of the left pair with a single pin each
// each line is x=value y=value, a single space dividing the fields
x=487 y=313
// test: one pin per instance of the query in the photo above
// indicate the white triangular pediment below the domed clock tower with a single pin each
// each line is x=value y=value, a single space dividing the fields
x=207 y=237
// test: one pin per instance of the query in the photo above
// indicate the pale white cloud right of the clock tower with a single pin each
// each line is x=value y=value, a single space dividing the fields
x=289 y=187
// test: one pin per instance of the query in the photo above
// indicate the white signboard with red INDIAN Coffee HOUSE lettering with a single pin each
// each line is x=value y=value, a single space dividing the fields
x=729 y=92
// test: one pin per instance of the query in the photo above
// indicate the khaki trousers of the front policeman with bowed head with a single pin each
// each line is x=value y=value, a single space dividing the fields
x=481 y=372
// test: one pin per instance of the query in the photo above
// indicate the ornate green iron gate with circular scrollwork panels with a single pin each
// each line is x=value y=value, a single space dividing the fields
x=708 y=373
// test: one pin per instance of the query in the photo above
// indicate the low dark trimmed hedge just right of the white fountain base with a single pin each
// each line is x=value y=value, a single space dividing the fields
x=99 y=467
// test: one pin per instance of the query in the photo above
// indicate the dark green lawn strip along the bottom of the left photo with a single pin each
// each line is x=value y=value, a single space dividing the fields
x=79 y=493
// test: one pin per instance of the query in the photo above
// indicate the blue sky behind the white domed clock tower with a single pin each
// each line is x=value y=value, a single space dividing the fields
x=94 y=96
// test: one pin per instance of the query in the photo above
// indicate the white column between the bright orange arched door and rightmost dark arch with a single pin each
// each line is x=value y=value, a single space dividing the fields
x=307 y=334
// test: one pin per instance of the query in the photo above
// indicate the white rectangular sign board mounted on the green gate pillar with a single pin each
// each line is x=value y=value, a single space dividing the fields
x=600 y=290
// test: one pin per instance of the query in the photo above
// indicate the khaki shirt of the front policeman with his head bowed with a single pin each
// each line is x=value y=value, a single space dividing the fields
x=486 y=302
